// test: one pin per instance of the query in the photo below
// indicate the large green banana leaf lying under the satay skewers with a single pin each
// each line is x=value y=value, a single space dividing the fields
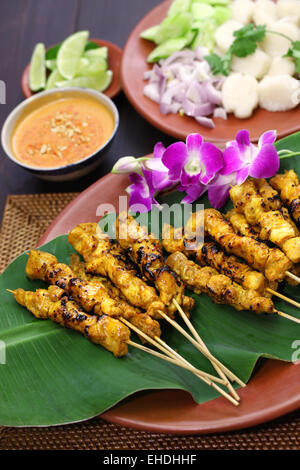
x=51 y=375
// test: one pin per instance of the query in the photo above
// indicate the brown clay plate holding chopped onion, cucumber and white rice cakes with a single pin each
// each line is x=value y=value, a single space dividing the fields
x=134 y=66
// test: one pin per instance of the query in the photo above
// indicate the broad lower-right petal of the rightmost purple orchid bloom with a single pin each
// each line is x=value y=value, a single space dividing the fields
x=266 y=163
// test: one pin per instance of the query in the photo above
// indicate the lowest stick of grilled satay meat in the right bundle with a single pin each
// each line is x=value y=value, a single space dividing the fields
x=219 y=287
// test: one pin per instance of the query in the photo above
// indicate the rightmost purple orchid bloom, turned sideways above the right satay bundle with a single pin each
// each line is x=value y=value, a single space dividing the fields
x=247 y=159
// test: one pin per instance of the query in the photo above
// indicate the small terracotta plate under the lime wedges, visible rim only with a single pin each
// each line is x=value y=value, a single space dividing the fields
x=114 y=60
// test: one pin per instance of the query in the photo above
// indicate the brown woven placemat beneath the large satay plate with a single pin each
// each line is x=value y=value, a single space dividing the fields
x=24 y=221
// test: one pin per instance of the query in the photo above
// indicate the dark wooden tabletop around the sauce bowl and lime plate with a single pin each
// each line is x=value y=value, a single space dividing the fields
x=23 y=23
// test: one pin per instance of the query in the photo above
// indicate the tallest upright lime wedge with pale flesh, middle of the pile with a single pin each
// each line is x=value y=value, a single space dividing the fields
x=70 y=52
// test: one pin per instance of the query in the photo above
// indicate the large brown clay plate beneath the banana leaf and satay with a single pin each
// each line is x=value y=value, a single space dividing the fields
x=273 y=390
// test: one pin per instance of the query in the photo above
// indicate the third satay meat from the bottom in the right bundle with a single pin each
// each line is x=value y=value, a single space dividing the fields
x=271 y=261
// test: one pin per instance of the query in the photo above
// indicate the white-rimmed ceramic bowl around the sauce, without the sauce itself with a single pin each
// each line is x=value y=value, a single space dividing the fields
x=73 y=170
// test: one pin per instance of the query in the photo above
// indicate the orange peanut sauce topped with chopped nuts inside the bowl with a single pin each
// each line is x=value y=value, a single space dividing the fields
x=62 y=132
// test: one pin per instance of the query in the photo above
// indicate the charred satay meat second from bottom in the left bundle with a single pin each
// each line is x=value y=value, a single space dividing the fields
x=91 y=295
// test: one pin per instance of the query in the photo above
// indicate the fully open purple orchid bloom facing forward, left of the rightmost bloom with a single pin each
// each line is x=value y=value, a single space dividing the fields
x=192 y=162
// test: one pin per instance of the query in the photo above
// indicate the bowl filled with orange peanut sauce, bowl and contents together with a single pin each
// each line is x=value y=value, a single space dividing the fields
x=60 y=135
